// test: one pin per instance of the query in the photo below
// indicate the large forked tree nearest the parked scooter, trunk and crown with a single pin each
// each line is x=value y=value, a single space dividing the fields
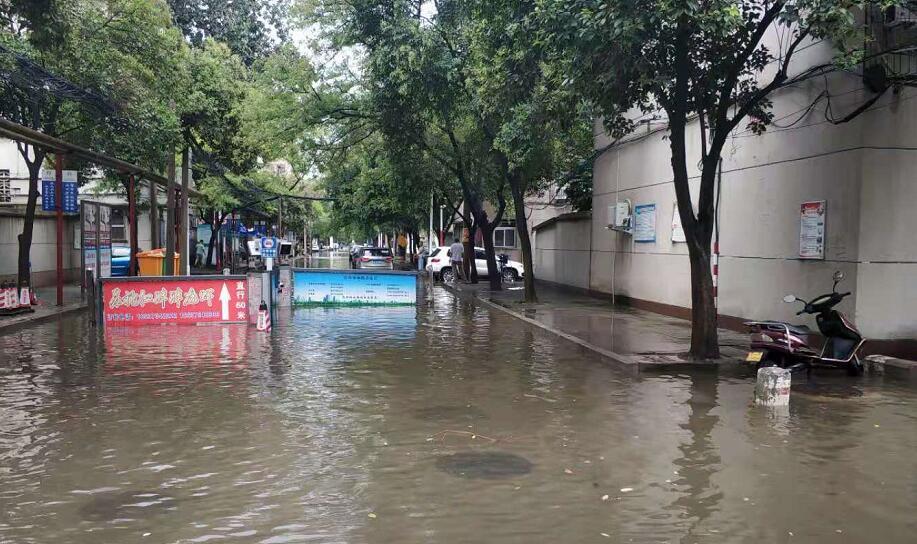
x=704 y=60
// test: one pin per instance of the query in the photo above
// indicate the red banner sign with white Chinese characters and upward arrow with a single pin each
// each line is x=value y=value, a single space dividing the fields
x=189 y=301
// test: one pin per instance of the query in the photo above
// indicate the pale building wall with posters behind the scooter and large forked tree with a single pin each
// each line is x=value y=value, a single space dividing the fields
x=863 y=169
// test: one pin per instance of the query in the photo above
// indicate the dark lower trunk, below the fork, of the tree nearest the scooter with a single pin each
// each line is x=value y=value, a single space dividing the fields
x=704 y=334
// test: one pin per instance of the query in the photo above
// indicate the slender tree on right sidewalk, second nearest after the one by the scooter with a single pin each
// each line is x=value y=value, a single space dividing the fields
x=538 y=131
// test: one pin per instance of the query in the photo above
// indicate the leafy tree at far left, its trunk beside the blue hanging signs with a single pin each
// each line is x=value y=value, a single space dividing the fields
x=80 y=69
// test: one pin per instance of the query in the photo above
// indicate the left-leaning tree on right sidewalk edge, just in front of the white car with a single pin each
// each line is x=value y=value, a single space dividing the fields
x=414 y=78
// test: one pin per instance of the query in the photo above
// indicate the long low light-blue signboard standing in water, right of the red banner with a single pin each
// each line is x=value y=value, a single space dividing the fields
x=353 y=287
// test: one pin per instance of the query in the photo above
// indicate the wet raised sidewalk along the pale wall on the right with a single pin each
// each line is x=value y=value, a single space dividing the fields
x=623 y=334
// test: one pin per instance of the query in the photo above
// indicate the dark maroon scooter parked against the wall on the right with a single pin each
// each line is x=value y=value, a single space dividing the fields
x=775 y=343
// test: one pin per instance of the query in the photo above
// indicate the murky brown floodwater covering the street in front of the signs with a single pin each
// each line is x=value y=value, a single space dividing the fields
x=445 y=423
